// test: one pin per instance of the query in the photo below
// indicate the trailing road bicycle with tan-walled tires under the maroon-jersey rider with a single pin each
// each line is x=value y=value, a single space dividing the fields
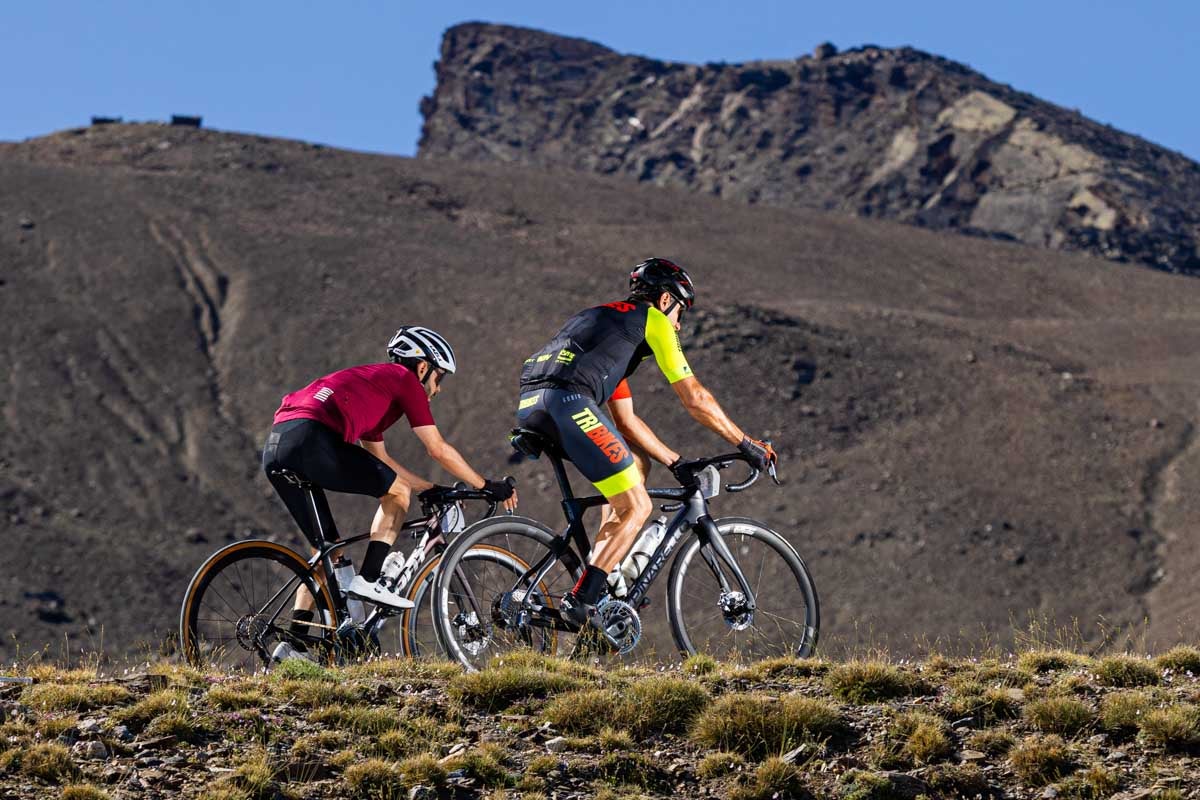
x=239 y=606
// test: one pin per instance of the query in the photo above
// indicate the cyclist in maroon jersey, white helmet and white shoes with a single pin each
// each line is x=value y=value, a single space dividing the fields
x=316 y=431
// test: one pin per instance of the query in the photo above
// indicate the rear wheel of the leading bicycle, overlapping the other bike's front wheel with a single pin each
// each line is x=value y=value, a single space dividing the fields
x=476 y=599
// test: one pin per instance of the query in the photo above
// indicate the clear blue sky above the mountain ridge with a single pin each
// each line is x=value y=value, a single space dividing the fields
x=352 y=74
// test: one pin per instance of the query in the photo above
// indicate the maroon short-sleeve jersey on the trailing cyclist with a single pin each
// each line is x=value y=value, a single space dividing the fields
x=361 y=402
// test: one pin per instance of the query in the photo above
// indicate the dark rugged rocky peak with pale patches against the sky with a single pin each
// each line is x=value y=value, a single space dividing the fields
x=889 y=134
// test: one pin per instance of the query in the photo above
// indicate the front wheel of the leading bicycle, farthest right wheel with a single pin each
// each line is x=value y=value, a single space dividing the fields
x=706 y=619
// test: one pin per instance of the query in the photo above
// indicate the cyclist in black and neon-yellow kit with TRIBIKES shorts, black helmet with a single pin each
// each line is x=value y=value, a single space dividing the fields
x=567 y=386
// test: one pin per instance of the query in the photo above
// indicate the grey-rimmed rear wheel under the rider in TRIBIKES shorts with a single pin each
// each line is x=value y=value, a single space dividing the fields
x=463 y=599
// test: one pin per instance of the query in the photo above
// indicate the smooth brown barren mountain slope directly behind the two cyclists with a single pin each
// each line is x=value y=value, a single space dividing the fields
x=971 y=431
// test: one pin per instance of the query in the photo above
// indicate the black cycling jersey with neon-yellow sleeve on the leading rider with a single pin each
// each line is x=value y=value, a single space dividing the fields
x=599 y=347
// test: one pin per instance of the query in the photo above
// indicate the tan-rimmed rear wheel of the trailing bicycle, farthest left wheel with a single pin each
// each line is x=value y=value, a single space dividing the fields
x=238 y=606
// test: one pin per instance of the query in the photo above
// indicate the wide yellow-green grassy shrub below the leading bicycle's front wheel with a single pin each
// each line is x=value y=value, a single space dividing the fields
x=759 y=726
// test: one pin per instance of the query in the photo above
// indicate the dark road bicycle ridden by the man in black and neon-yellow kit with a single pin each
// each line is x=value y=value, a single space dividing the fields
x=748 y=596
